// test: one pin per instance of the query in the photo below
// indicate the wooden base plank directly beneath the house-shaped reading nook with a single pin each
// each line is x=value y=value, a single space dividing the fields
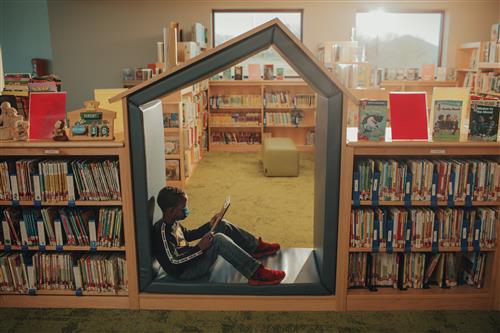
x=237 y=303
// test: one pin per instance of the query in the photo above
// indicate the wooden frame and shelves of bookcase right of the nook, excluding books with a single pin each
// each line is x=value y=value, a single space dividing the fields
x=460 y=297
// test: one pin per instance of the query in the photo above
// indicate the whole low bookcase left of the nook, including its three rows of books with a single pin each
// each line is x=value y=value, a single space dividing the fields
x=67 y=235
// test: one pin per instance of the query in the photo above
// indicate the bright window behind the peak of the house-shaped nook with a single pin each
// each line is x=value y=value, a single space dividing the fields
x=229 y=24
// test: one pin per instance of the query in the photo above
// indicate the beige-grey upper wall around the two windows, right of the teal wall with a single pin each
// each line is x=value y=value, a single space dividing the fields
x=93 y=41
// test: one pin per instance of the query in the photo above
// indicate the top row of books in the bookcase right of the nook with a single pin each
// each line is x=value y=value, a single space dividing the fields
x=439 y=179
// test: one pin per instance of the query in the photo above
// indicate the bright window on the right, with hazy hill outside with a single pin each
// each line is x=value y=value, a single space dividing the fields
x=400 y=40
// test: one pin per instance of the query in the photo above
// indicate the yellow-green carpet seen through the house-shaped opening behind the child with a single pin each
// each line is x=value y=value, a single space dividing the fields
x=279 y=209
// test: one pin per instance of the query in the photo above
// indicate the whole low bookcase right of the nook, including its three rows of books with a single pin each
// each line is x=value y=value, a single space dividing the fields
x=421 y=228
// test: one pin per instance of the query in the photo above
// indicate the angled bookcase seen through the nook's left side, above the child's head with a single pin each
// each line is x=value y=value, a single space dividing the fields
x=184 y=125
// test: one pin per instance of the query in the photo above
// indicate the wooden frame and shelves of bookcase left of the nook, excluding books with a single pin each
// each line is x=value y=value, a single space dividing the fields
x=67 y=298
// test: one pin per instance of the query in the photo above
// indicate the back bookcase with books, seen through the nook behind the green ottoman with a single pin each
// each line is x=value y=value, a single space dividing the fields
x=242 y=112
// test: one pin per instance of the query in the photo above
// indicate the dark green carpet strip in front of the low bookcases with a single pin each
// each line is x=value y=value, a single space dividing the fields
x=84 y=320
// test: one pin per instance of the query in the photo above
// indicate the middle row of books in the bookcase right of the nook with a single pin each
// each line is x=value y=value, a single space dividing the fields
x=411 y=229
